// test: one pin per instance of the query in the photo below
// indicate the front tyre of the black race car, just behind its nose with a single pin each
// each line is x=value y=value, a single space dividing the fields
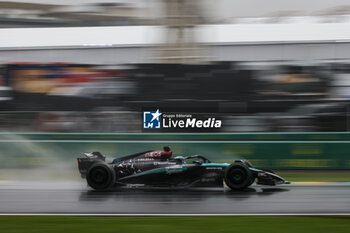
x=238 y=176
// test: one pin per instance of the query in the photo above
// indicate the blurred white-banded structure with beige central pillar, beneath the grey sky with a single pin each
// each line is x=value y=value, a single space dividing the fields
x=182 y=36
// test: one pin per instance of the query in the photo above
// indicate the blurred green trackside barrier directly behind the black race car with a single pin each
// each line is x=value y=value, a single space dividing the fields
x=269 y=150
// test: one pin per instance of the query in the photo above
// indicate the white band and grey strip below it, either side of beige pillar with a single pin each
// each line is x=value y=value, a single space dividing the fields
x=137 y=44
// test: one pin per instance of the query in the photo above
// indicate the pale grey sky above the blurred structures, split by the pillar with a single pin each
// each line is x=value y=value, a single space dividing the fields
x=221 y=9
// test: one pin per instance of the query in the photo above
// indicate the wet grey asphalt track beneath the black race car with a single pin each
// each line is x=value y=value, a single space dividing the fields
x=76 y=198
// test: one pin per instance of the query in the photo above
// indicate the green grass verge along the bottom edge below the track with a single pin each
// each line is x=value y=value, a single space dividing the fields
x=271 y=224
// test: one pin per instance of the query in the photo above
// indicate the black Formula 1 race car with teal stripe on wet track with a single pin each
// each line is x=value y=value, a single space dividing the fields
x=158 y=169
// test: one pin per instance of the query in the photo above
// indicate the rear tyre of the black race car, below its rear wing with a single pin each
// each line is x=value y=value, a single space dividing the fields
x=101 y=176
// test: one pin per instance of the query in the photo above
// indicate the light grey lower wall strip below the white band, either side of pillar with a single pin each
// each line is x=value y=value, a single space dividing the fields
x=145 y=54
